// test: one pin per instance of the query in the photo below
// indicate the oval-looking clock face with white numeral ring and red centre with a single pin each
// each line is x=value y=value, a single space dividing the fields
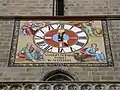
x=60 y=38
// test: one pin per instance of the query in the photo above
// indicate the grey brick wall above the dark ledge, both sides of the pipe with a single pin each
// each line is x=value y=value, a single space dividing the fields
x=72 y=7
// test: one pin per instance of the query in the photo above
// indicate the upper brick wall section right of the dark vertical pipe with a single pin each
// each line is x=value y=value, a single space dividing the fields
x=92 y=7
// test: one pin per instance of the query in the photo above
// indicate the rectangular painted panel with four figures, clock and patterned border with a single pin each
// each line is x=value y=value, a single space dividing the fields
x=60 y=43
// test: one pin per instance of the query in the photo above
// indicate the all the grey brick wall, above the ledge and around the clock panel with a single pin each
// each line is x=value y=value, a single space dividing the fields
x=44 y=7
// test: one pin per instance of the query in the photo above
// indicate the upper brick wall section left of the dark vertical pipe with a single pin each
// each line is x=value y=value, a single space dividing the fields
x=25 y=7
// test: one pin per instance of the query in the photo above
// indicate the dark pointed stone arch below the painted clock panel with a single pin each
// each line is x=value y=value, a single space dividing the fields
x=58 y=75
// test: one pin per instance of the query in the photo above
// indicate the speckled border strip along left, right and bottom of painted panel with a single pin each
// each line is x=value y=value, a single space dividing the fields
x=109 y=59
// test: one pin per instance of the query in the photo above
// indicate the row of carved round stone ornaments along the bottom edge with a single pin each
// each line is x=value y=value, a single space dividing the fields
x=59 y=85
